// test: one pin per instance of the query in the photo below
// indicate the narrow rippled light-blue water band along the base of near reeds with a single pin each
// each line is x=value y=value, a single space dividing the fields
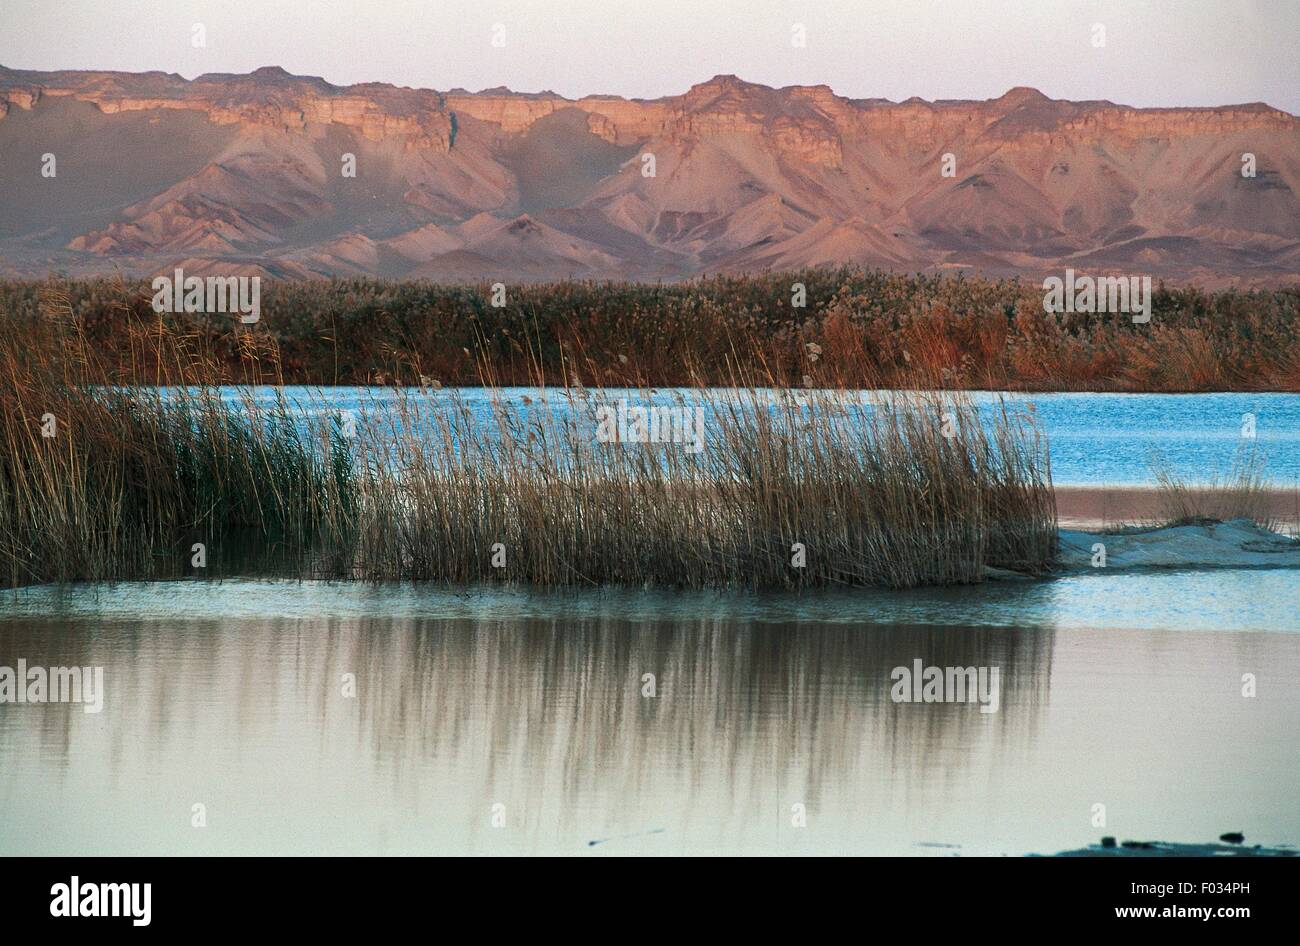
x=1232 y=600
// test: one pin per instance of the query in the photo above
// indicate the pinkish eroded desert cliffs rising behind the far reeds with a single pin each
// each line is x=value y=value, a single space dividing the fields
x=744 y=177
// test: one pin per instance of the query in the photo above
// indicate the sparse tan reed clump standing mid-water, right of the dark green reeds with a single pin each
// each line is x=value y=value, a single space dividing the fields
x=790 y=489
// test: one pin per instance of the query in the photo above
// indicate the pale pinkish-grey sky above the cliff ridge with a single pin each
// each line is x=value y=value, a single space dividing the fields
x=1154 y=53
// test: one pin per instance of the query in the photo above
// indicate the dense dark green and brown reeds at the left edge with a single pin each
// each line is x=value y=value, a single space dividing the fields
x=105 y=476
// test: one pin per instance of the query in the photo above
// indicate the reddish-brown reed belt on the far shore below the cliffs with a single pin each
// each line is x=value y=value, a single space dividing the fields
x=873 y=329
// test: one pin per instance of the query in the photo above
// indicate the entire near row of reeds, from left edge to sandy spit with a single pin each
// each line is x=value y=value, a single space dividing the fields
x=788 y=489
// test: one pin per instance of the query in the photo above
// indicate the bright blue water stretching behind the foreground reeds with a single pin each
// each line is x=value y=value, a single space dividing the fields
x=1094 y=439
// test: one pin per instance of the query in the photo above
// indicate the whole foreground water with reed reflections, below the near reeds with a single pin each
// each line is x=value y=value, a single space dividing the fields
x=1123 y=691
